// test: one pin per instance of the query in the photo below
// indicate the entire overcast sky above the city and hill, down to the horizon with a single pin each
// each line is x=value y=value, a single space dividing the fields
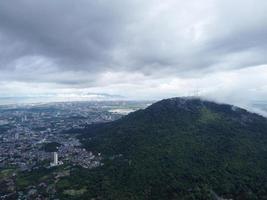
x=134 y=49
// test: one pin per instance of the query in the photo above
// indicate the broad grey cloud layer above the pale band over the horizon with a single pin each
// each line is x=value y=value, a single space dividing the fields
x=93 y=37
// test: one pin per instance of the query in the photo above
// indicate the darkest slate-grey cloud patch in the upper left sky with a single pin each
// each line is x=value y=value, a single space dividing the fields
x=72 y=34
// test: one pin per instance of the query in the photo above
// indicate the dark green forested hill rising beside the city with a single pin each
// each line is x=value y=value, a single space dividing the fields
x=179 y=148
